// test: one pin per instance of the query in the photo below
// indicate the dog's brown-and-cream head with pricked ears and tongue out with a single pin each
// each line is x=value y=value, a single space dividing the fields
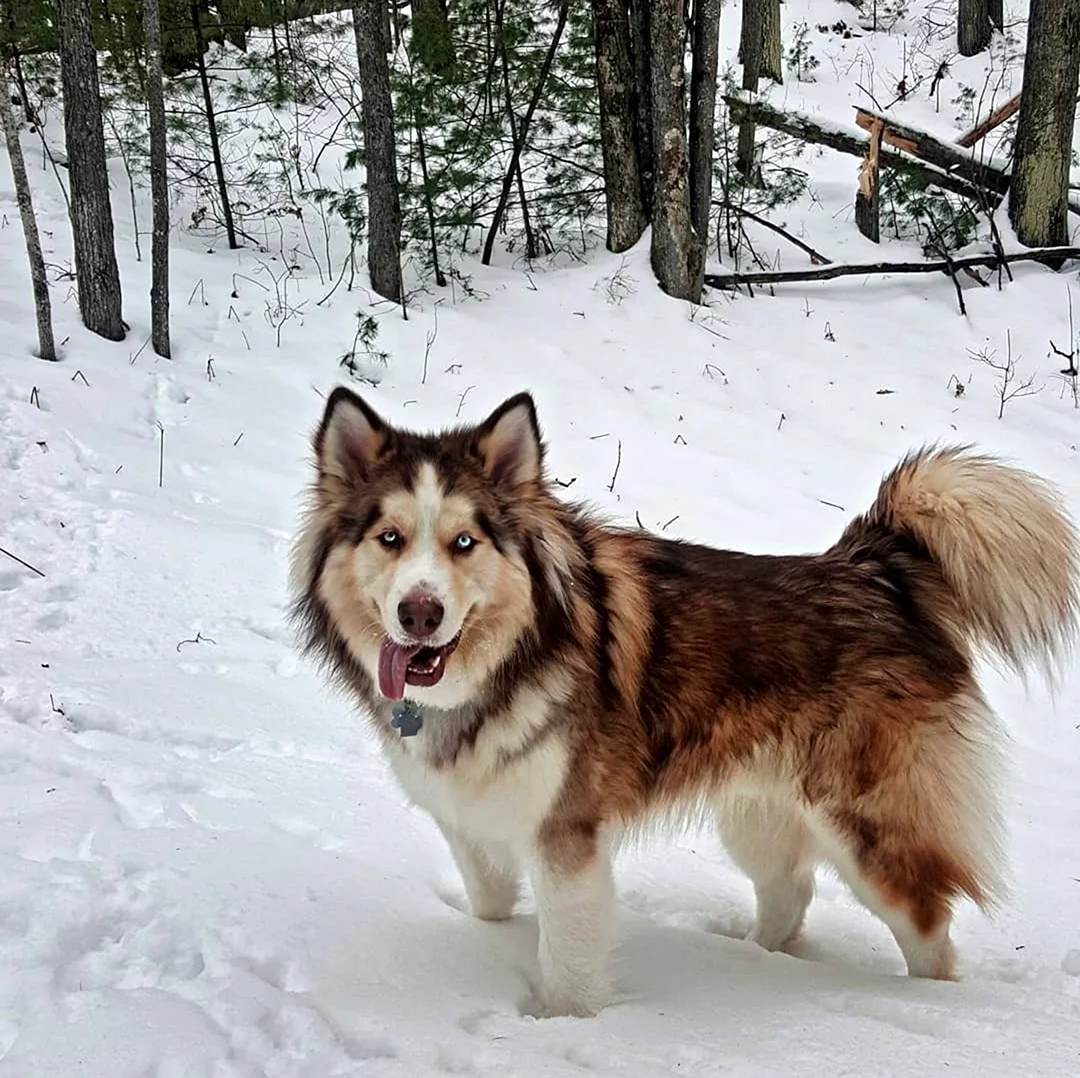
x=414 y=547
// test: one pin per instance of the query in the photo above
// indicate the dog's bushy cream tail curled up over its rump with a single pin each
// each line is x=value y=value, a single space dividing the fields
x=1002 y=540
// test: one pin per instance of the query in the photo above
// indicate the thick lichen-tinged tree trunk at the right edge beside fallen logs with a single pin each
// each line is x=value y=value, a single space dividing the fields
x=1038 y=203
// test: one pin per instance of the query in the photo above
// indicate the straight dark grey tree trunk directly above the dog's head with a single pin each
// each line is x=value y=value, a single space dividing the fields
x=384 y=205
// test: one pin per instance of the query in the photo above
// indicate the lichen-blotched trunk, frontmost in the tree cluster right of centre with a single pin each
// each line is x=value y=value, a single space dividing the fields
x=678 y=253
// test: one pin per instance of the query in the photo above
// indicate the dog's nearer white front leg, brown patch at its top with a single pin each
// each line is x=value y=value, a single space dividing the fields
x=575 y=895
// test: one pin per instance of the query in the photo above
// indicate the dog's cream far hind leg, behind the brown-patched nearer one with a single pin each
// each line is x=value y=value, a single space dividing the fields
x=769 y=841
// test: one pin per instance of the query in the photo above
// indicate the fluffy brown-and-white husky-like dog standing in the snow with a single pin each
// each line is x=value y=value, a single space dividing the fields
x=548 y=686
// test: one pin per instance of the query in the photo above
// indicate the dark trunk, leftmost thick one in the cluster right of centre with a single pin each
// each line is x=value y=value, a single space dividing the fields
x=615 y=83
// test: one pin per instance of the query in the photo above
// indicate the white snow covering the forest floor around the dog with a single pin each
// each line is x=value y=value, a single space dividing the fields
x=206 y=869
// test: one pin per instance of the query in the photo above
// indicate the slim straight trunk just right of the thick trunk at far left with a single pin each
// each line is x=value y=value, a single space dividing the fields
x=159 y=179
